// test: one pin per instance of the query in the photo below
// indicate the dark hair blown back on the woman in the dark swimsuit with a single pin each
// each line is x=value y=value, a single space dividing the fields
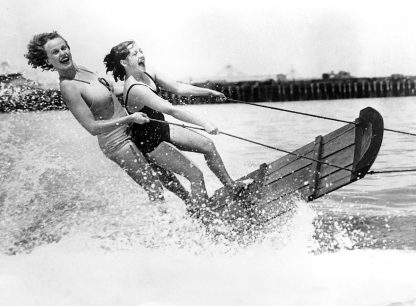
x=112 y=60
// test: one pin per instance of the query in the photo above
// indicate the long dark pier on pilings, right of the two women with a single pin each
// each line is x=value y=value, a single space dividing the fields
x=302 y=90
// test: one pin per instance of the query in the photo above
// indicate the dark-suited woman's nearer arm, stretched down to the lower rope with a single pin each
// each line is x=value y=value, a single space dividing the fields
x=142 y=95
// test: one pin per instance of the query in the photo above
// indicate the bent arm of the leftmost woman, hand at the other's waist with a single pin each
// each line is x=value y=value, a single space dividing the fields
x=78 y=107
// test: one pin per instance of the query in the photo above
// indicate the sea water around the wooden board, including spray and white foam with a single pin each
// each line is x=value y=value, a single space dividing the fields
x=76 y=230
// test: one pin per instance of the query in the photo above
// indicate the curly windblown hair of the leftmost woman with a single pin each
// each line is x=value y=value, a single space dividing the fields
x=36 y=54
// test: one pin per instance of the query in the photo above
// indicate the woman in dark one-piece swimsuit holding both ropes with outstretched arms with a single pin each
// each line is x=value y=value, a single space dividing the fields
x=157 y=139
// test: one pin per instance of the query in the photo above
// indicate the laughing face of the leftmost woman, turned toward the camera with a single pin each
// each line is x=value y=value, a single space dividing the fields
x=59 y=55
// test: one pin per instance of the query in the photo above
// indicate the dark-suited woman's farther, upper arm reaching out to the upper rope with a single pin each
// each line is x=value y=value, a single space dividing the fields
x=185 y=89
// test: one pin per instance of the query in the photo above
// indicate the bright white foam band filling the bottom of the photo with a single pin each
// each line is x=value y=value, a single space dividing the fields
x=279 y=270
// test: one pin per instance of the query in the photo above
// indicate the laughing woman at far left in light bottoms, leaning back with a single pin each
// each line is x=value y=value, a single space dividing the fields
x=96 y=108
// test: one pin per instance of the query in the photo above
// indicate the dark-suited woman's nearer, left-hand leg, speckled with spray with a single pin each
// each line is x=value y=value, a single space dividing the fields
x=170 y=158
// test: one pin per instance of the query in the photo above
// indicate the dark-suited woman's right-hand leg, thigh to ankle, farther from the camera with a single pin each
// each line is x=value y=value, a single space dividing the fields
x=192 y=141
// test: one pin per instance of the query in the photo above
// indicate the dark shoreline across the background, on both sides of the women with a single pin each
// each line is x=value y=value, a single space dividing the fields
x=19 y=94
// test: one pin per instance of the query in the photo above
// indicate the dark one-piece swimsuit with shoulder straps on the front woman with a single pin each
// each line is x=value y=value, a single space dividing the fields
x=149 y=135
